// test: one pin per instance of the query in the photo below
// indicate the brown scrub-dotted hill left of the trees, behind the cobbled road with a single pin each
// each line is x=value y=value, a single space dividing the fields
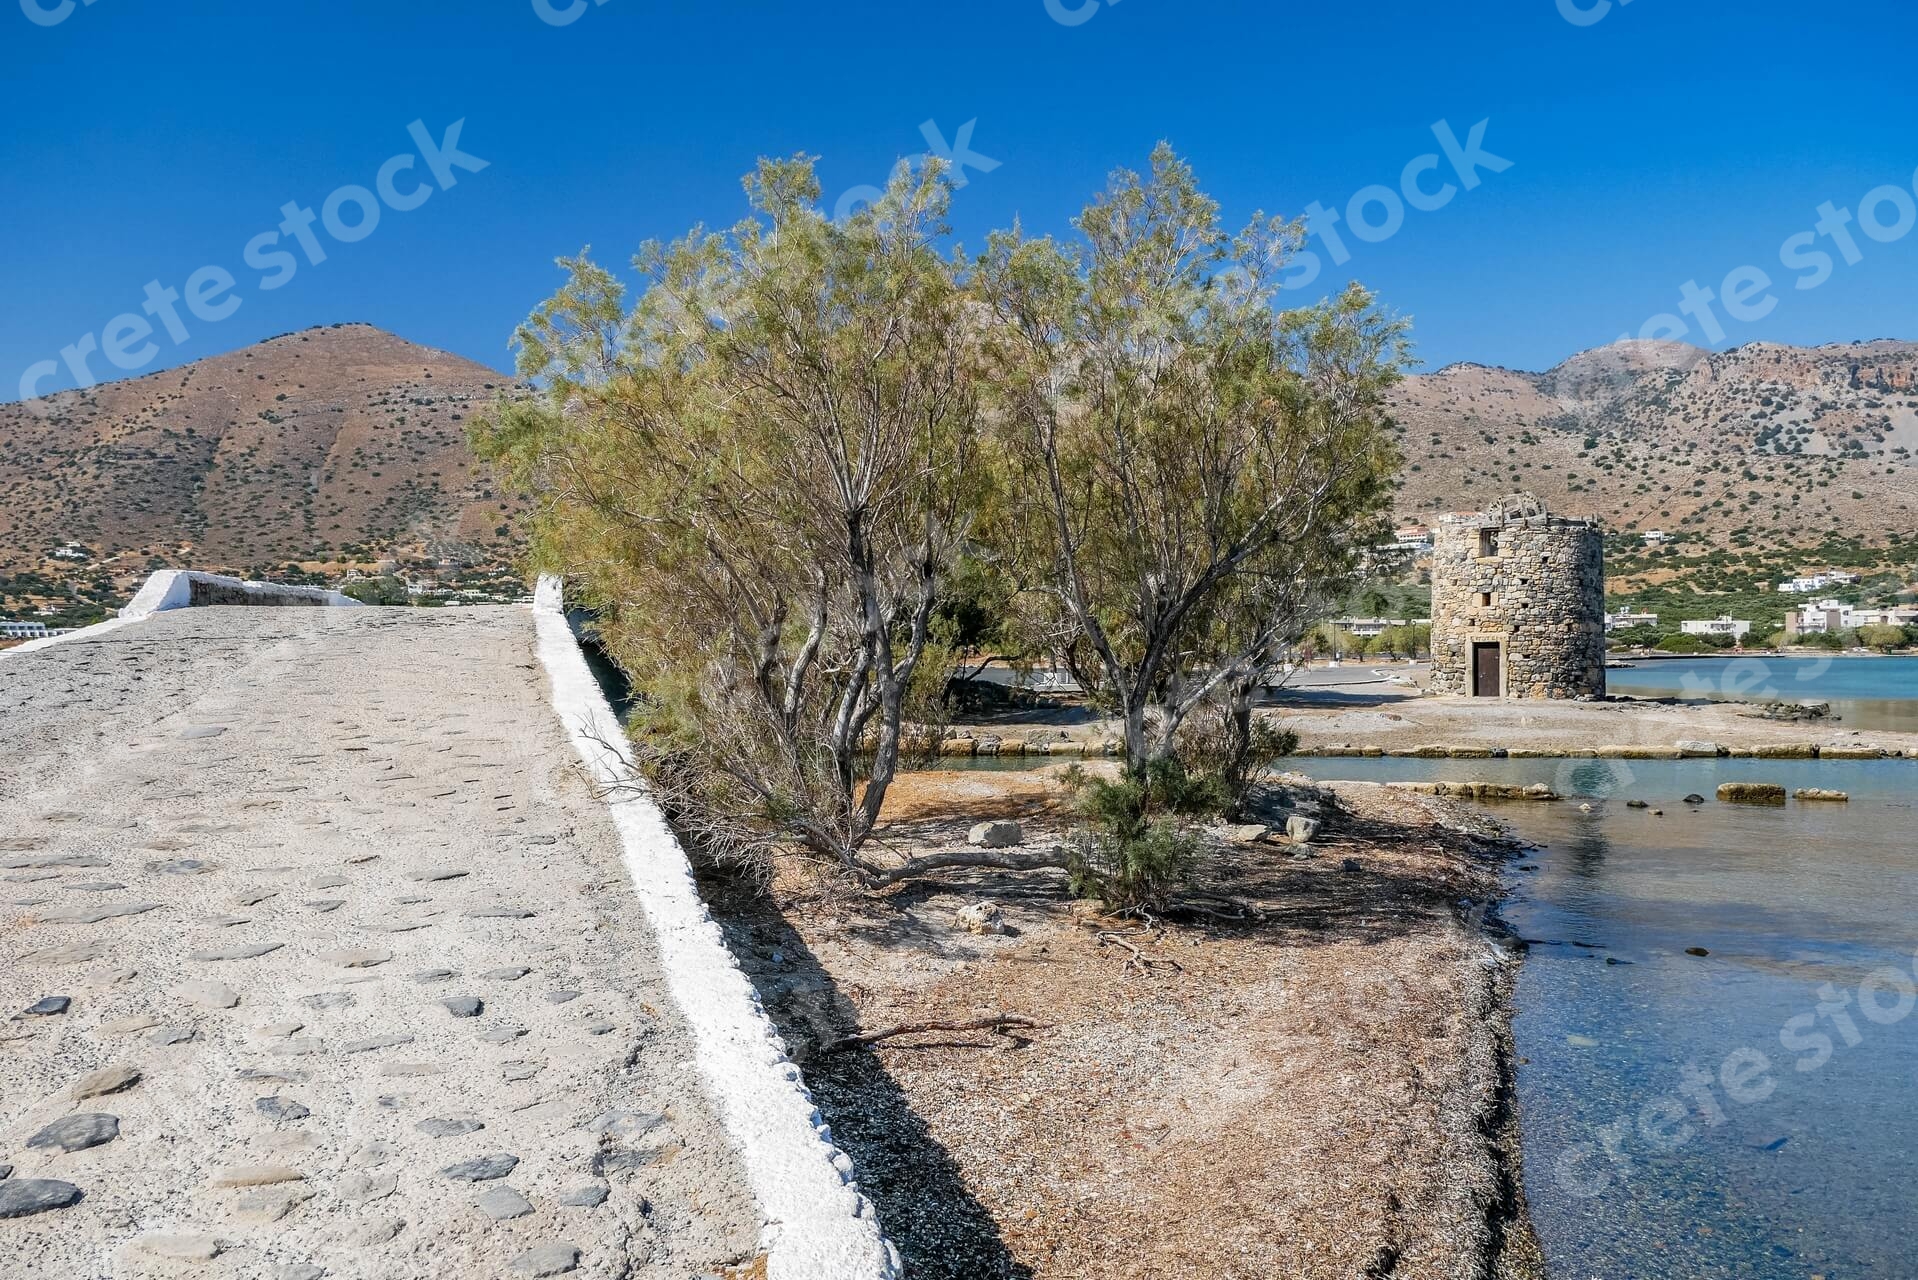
x=339 y=442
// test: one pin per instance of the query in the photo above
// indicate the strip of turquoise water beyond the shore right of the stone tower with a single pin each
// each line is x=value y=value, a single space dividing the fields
x=1867 y=694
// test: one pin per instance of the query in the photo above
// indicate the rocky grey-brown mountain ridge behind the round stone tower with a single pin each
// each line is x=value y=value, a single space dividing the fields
x=1760 y=446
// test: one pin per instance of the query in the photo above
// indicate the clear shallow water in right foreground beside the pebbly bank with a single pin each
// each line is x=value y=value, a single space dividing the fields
x=1633 y=1166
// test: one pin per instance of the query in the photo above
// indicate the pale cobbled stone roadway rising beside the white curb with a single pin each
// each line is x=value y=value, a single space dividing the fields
x=348 y=972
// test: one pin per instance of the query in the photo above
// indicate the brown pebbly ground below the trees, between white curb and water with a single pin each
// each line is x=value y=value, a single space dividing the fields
x=1317 y=1091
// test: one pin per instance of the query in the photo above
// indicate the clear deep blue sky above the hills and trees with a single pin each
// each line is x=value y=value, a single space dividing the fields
x=1652 y=145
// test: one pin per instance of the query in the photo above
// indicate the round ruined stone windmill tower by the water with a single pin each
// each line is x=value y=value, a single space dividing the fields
x=1547 y=586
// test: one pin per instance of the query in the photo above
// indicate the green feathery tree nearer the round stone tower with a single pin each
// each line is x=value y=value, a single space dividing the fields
x=1202 y=467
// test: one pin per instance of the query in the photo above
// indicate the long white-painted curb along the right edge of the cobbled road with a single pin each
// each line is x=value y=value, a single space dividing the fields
x=820 y=1227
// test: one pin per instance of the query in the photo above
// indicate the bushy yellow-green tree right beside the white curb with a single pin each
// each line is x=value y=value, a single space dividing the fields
x=760 y=475
